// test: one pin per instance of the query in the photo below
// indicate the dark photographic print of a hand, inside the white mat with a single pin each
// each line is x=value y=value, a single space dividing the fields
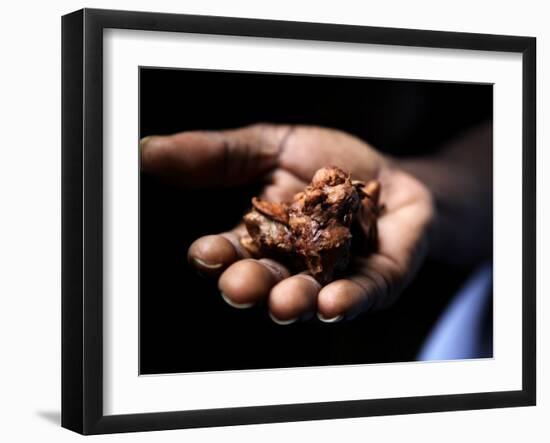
x=299 y=220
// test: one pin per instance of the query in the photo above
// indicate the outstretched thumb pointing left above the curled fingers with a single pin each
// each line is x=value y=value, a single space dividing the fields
x=214 y=158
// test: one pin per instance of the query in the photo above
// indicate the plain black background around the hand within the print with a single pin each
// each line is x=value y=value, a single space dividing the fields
x=185 y=326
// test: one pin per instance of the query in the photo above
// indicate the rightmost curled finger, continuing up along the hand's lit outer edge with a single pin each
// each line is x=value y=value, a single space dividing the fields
x=377 y=280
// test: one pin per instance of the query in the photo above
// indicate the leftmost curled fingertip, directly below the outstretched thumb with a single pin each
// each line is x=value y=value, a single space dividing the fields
x=212 y=254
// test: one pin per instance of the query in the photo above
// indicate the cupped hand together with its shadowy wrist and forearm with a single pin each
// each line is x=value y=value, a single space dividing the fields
x=434 y=206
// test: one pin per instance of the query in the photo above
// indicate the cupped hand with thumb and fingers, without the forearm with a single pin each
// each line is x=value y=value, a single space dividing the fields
x=285 y=159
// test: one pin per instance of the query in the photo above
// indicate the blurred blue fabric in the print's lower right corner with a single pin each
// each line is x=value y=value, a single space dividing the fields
x=462 y=331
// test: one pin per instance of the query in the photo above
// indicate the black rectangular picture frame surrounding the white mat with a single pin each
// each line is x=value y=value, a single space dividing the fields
x=82 y=218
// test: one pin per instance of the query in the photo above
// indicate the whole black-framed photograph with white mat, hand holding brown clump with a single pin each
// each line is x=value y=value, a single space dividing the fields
x=269 y=221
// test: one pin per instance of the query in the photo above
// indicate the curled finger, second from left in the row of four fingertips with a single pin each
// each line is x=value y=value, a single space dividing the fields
x=248 y=281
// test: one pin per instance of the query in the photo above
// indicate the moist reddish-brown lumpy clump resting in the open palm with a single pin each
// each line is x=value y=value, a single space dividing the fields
x=313 y=232
